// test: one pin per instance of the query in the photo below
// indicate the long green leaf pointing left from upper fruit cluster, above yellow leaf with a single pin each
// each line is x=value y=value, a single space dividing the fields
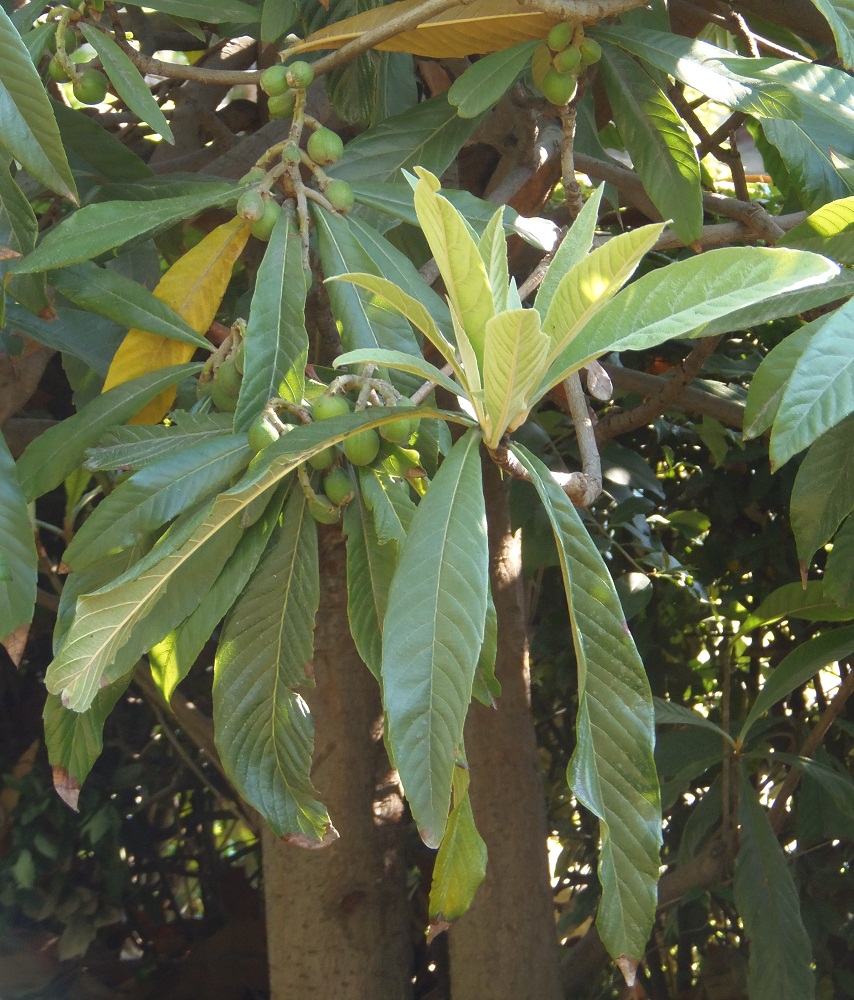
x=96 y=229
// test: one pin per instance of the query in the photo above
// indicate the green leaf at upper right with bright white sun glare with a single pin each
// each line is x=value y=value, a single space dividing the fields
x=700 y=66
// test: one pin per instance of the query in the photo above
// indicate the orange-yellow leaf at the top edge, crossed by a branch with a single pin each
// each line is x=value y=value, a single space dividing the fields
x=474 y=28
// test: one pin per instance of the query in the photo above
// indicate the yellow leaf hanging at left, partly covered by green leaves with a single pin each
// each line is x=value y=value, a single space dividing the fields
x=193 y=287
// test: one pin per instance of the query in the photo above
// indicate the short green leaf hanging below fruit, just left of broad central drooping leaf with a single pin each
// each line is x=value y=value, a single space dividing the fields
x=370 y=568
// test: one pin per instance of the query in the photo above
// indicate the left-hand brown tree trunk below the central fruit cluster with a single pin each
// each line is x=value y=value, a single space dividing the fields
x=337 y=918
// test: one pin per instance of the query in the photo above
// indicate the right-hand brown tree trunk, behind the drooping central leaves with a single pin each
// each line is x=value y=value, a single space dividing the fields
x=506 y=946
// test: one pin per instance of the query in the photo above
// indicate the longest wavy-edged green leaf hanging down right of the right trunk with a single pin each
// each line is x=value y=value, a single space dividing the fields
x=612 y=770
